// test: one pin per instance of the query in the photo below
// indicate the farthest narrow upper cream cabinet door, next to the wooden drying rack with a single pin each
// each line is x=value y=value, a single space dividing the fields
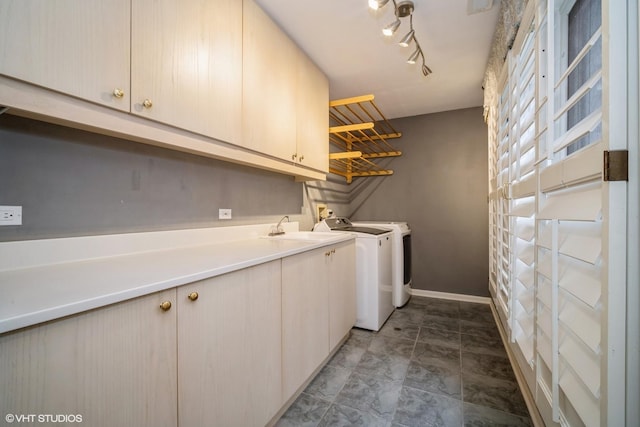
x=312 y=129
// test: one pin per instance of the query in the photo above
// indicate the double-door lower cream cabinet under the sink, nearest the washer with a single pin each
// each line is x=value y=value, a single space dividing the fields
x=318 y=309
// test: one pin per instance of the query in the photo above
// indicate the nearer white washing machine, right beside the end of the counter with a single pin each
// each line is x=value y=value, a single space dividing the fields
x=373 y=270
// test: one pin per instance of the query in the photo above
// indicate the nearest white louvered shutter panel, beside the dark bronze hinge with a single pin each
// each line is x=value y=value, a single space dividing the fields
x=570 y=232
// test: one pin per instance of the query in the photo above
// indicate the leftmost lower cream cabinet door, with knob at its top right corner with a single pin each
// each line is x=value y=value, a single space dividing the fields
x=114 y=366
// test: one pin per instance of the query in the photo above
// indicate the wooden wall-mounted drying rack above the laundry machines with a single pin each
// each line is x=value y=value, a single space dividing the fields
x=361 y=131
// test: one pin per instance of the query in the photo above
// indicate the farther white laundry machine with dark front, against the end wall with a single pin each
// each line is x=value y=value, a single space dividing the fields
x=400 y=257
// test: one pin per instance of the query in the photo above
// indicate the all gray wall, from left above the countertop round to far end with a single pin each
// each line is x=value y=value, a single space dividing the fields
x=73 y=183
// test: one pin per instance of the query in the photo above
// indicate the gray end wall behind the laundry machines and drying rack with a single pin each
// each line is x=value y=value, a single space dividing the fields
x=439 y=186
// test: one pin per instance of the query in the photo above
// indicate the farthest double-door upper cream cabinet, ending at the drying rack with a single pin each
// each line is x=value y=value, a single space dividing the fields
x=286 y=96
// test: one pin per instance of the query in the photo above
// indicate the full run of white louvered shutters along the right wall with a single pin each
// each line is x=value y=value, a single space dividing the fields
x=558 y=285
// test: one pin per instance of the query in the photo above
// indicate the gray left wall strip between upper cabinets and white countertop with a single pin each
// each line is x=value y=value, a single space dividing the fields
x=73 y=183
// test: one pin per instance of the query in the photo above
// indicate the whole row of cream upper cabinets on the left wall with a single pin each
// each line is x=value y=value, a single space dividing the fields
x=216 y=78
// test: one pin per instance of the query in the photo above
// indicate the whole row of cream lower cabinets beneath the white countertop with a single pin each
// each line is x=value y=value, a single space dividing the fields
x=224 y=351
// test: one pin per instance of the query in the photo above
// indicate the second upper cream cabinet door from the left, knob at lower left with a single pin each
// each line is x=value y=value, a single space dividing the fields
x=186 y=65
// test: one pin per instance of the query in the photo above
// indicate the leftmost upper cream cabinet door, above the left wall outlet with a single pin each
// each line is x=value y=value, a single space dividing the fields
x=77 y=47
